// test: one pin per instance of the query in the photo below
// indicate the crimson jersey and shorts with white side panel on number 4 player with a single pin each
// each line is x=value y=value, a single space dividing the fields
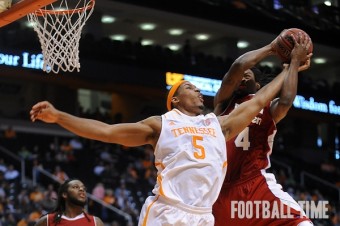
x=247 y=180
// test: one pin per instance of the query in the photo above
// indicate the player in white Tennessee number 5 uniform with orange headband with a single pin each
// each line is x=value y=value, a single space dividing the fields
x=189 y=147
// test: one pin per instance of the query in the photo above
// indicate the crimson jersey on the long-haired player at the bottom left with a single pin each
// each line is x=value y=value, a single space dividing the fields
x=80 y=220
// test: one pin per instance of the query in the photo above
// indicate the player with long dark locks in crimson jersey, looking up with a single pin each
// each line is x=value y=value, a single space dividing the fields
x=70 y=207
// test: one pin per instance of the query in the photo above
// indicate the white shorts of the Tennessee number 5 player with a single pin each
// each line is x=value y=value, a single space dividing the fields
x=157 y=211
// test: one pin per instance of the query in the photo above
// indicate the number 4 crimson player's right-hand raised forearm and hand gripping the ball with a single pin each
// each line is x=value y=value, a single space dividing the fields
x=280 y=106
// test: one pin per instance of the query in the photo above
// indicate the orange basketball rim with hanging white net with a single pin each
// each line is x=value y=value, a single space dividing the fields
x=59 y=27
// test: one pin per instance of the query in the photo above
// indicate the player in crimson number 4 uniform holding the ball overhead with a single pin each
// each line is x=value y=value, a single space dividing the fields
x=248 y=153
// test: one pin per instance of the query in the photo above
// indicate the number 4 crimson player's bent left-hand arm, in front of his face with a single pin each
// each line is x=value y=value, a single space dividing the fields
x=235 y=74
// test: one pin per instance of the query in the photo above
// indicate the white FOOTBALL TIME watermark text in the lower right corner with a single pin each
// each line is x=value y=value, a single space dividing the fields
x=277 y=210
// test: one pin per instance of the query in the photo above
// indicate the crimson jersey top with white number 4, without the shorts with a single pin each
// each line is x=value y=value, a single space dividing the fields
x=249 y=151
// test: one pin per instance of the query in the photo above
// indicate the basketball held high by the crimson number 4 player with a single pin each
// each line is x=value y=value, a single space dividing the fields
x=284 y=43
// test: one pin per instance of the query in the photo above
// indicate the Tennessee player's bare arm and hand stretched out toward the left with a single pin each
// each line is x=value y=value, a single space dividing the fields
x=128 y=134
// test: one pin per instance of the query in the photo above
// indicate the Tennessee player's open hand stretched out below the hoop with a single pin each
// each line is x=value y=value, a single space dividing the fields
x=45 y=112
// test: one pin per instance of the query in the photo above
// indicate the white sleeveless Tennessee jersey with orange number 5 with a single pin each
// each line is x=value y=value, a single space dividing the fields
x=191 y=159
